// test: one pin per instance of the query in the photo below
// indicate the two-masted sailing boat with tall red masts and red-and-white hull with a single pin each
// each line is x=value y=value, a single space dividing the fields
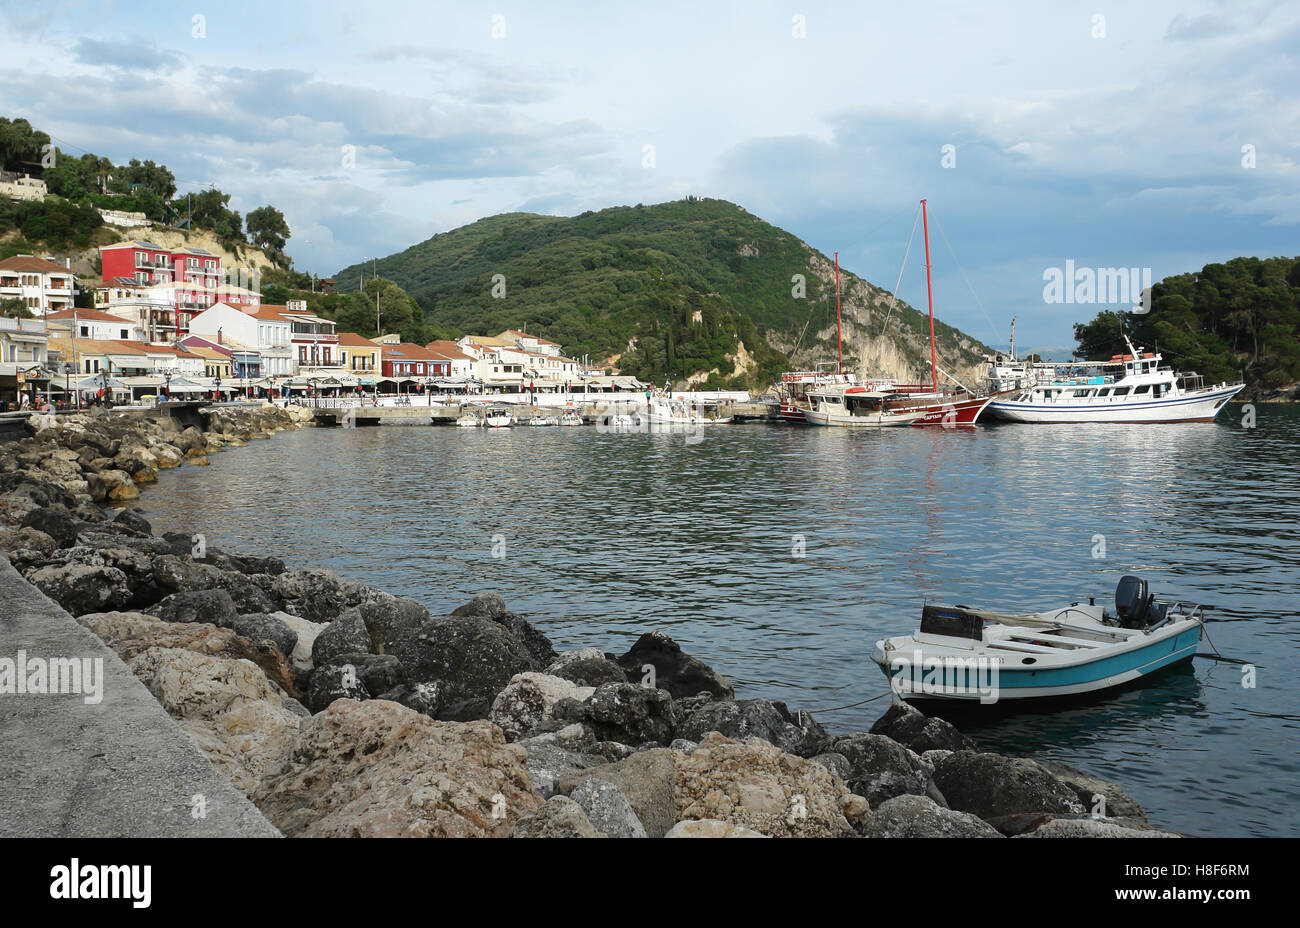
x=892 y=404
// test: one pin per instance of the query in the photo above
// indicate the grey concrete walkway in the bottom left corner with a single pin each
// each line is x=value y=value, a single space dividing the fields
x=120 y=769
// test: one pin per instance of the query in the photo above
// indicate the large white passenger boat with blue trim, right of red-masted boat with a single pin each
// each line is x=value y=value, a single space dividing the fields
x=1132 y=388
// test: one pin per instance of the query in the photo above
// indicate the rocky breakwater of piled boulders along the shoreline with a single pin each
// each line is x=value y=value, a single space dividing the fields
x=341 y=710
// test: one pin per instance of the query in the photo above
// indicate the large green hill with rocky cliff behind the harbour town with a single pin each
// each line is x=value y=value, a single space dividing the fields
x=696 y=289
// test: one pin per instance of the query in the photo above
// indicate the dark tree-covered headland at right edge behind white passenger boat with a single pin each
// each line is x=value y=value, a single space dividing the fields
x=1233 y=320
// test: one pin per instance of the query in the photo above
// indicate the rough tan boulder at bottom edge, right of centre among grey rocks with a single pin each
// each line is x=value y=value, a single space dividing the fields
x=759 y=787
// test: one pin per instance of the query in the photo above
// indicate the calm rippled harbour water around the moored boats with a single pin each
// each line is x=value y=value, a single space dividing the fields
x=608 y=536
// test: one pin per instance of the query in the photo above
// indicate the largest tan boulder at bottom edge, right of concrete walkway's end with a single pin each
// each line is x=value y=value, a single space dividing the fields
x=380 y=770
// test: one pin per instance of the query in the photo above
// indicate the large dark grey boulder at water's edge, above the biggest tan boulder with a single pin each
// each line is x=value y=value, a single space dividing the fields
x=470 y=658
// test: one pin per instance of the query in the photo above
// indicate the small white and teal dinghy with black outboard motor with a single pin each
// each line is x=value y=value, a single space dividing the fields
x=968 y=654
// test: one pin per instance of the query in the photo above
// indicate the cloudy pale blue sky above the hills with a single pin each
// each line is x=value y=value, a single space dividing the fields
x=1162 y=136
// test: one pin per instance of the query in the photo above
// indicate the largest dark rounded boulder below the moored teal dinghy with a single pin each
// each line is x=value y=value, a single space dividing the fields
x=991 y=786
